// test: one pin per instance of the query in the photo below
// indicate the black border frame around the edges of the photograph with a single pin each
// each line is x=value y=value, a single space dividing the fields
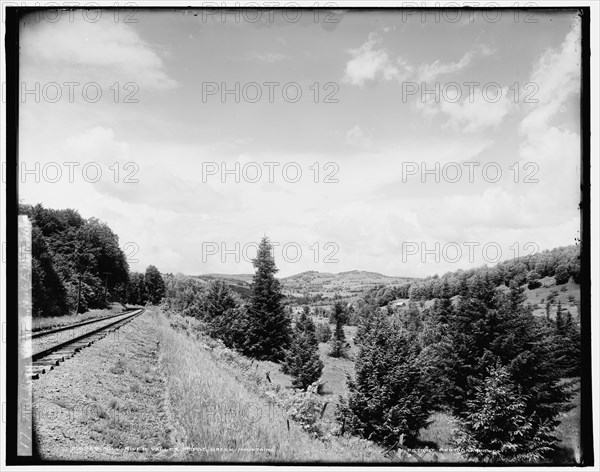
x=13 y=17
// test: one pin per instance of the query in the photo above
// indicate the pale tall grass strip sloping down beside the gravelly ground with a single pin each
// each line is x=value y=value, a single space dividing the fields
x=220 y=419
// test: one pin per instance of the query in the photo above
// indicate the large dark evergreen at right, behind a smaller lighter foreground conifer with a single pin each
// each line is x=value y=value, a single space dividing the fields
x=505 y=330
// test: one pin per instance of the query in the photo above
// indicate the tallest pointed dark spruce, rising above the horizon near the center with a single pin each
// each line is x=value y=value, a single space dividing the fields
x=269 y=327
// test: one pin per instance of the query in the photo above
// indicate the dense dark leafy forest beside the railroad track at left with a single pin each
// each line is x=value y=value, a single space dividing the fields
x=78 y=265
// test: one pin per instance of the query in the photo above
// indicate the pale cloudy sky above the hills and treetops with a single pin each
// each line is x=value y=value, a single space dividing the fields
x=342 y=99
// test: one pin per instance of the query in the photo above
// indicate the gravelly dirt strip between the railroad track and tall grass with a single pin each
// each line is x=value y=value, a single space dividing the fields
x=107 y=403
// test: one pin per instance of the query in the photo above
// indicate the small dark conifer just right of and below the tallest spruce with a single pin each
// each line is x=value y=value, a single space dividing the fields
x=302 y=360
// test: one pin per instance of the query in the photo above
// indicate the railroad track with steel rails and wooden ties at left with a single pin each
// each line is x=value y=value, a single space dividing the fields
x=46 y=359
